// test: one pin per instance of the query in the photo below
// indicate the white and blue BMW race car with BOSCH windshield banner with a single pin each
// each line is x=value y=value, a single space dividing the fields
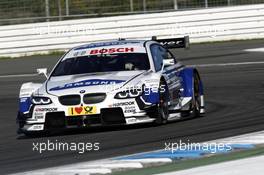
x=120 y=82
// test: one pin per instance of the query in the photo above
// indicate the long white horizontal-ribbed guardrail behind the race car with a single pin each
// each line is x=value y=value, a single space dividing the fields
x=206 y=25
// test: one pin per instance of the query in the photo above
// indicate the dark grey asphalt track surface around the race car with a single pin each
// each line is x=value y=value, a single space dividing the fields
x=234 y=98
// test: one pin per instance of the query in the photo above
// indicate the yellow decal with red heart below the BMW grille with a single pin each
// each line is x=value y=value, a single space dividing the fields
x=82 y=110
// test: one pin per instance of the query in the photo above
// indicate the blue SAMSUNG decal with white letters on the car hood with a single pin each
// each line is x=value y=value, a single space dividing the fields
x=91 y=82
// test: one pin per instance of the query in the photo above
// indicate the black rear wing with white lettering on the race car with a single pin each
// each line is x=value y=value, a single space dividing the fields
x=173 y=43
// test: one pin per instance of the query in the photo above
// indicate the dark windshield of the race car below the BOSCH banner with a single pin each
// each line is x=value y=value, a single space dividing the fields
x=102 y=63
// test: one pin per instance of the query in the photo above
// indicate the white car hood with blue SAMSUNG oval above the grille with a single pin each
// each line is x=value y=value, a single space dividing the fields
x=89 y=83
